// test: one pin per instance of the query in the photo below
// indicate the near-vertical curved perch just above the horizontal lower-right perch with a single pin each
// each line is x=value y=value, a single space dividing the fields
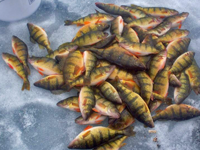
x=181 y=93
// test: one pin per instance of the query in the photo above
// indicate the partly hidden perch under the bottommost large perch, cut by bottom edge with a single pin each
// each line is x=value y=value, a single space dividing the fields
x=114 y=144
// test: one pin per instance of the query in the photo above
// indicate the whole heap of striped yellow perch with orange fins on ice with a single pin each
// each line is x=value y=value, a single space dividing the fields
x=122 y=76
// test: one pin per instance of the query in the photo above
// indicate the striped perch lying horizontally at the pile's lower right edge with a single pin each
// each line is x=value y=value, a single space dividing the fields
x=177 y=112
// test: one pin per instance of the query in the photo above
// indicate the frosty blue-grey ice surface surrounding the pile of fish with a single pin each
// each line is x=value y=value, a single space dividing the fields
x=32 y=121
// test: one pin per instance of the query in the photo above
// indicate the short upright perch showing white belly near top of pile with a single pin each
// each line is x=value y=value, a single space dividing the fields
x=117 y=26
